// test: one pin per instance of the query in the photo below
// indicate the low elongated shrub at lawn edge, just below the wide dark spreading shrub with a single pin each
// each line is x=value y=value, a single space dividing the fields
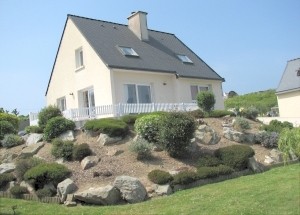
x=213 y=171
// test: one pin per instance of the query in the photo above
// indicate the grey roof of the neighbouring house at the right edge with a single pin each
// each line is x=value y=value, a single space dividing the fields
x=289 y=80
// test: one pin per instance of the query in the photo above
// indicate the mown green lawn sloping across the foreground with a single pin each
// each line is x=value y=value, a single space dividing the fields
x=274 y=192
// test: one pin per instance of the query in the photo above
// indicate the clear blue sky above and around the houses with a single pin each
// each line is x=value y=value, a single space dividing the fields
x=248 y=42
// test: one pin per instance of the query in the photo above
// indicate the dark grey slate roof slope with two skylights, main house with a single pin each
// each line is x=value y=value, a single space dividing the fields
x=157 y=54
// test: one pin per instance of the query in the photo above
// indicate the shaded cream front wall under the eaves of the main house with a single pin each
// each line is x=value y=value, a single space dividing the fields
x=165 y=87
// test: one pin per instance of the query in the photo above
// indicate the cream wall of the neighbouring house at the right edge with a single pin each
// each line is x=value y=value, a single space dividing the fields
x=289 y=104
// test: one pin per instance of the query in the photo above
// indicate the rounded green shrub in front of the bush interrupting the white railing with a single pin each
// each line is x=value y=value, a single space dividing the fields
x=56 y=126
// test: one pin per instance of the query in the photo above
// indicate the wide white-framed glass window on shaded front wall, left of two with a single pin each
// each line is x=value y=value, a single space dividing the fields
x=135 y=93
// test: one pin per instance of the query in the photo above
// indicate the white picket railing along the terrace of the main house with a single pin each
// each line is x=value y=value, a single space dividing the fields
x=118 y=110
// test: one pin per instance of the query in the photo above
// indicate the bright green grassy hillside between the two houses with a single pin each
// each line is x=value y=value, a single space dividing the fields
x=263 y=101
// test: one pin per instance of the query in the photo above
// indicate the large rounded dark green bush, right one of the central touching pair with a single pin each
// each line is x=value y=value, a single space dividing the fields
x=177 y=130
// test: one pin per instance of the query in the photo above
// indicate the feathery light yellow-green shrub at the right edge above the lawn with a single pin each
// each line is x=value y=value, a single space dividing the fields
x=289 y=141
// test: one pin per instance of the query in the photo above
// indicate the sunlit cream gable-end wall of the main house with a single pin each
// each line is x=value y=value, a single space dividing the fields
x=66 y=79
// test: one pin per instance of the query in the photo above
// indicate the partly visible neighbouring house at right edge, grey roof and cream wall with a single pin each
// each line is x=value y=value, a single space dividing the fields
x=288 y=91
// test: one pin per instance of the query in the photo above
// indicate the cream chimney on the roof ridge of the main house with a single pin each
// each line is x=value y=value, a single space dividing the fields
x=137 y=23
